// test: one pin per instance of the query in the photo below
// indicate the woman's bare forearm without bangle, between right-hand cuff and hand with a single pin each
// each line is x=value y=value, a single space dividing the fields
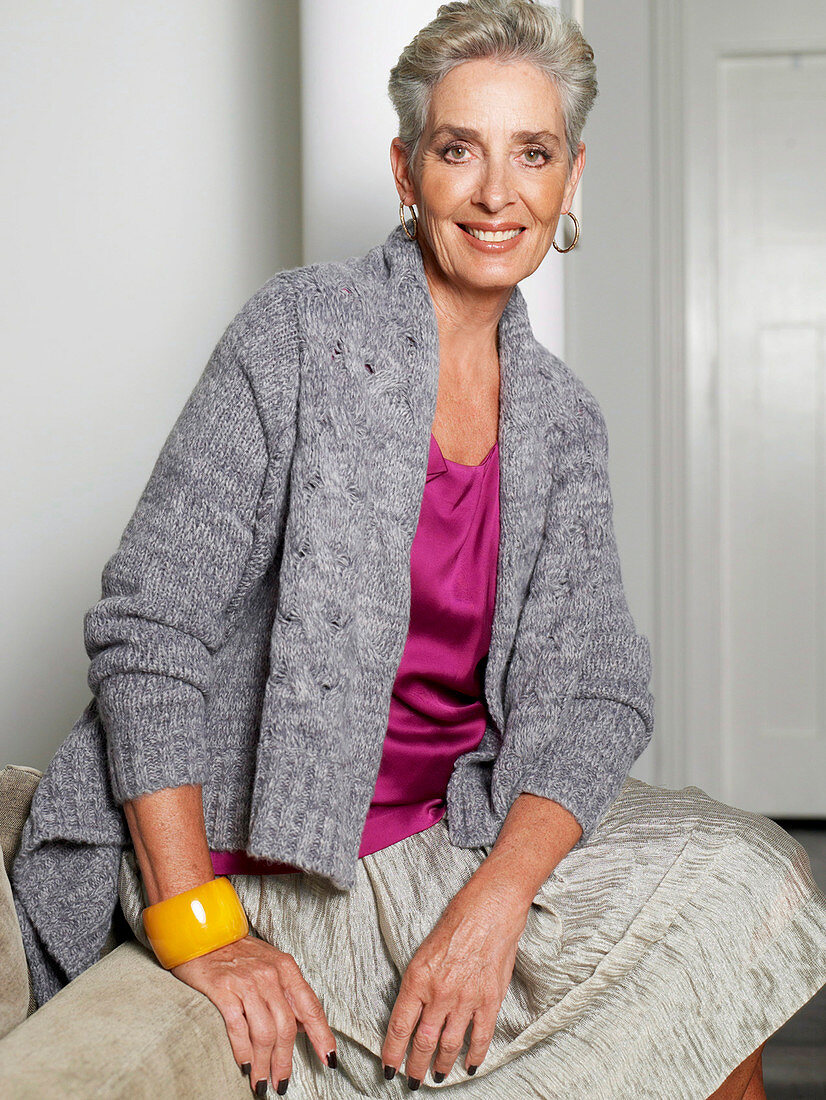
x=535 y=837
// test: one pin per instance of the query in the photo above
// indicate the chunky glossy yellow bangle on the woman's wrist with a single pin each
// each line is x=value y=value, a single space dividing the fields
x=195 y=922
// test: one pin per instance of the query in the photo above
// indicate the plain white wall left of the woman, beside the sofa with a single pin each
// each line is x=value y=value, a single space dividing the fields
x=151 y=182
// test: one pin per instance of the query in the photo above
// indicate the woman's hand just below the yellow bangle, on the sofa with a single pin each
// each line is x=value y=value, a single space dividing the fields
x=265 y=1000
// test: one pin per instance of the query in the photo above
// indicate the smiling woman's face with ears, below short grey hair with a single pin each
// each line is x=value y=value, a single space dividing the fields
x=493 y=156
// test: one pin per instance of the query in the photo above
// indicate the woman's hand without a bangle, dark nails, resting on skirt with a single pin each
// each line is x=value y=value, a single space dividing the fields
x=460 y=974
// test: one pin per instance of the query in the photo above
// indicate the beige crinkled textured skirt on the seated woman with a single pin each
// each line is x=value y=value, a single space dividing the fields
x=656 y=959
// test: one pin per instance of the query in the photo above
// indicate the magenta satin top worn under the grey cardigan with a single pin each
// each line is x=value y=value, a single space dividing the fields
x=437 y=707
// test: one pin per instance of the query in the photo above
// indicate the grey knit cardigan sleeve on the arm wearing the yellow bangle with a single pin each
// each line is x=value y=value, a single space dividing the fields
x=170 y=589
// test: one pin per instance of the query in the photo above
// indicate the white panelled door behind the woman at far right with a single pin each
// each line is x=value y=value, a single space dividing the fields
x=754 y=104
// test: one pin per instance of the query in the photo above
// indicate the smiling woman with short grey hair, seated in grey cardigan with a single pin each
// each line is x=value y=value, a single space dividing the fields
x=365 y=652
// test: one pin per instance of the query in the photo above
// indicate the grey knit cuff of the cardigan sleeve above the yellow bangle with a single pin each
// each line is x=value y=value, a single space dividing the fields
x=156 y=733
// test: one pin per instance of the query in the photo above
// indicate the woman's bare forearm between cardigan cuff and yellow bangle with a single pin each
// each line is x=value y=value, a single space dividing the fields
x=171 y=841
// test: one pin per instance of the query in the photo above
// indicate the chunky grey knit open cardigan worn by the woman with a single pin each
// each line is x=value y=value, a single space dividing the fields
x=254 y=617
